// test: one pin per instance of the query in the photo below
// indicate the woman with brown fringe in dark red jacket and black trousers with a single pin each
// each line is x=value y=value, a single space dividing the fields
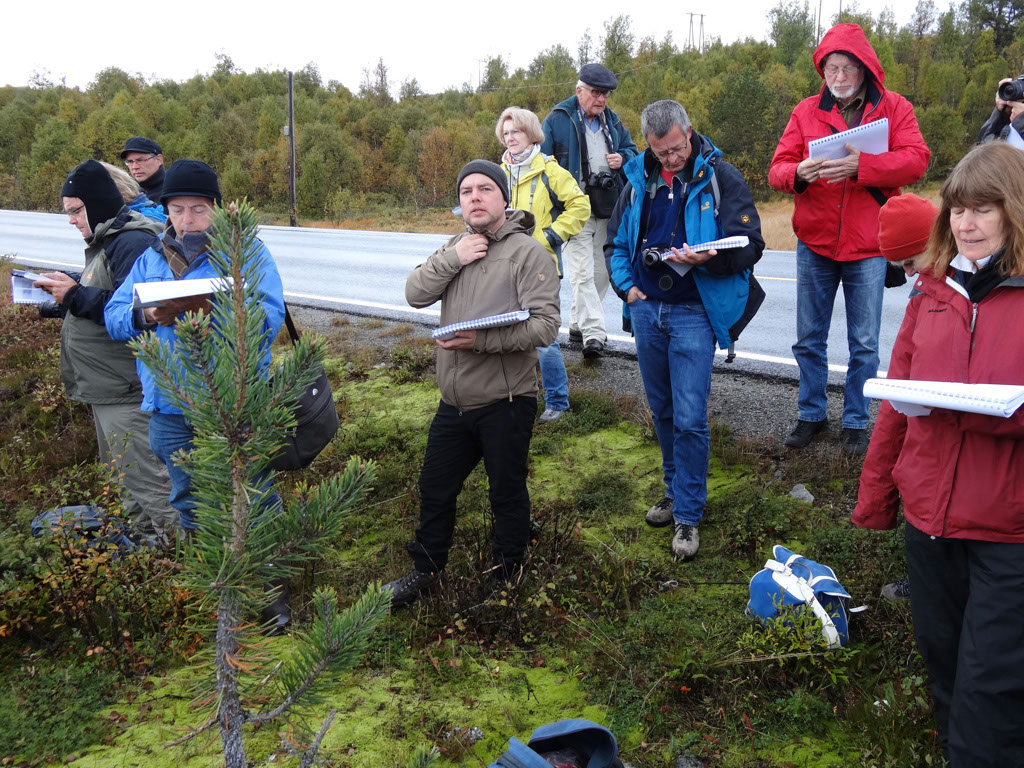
x=962 y=476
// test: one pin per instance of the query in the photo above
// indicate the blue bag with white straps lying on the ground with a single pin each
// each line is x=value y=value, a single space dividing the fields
x=792 y=580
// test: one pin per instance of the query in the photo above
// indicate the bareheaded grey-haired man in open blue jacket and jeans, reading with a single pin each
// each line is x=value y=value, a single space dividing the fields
x=678 y=194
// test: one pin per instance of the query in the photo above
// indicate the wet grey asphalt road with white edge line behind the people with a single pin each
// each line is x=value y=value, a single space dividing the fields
x=365 y=273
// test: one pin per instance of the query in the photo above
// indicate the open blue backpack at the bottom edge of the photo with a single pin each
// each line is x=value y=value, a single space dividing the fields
x=573 y=744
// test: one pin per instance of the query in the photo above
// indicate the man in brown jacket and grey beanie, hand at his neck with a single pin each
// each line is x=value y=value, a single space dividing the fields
x=488 y=378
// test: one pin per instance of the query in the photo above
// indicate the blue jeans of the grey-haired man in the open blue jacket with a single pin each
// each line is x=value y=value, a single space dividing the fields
x=675 y=350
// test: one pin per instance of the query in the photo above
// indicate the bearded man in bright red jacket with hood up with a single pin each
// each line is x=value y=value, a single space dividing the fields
x=836 y=220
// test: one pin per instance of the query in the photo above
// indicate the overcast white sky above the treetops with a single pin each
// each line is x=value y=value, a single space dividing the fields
x=439 y=44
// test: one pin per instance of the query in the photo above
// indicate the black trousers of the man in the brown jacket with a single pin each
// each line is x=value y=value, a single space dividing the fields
x=500 y=435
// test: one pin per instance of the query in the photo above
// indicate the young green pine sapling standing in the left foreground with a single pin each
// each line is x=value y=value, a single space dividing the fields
x=247 y=540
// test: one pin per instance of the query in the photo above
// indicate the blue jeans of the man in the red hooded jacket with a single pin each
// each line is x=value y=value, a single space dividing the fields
x=818 y=281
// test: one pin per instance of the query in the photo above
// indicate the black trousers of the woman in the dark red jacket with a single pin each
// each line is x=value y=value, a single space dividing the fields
x=968 y=604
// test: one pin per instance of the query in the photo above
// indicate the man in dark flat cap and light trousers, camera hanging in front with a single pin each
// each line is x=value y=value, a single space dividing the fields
x=590 y=142
